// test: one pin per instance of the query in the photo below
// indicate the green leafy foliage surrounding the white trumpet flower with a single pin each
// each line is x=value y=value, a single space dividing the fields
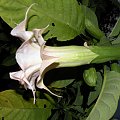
x=70 y=23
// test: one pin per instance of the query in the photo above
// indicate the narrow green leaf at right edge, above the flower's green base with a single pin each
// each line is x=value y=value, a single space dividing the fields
x=116 y=29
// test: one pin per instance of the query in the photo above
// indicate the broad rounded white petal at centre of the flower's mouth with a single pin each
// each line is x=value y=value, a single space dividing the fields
x=28 y=54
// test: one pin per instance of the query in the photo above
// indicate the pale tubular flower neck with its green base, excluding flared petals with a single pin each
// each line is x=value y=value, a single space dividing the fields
x=70 y=56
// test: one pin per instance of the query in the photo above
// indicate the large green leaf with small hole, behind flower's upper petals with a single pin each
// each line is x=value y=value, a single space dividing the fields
x=65 y=17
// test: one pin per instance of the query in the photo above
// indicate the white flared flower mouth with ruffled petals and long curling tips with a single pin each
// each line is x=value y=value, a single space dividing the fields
x=30 y=57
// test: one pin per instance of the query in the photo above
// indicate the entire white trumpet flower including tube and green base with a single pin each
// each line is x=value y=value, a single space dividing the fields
x=35 y=58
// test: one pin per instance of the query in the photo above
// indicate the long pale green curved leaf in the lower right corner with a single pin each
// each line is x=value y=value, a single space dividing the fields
x=106 y=104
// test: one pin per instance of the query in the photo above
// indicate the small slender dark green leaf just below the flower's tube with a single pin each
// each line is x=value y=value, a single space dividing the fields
x=61 y=83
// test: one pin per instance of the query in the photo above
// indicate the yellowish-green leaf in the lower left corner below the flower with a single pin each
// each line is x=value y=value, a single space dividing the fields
x=14 y=107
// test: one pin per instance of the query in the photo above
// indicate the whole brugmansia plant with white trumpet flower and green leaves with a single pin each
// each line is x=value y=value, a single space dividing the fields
x=98 y=62
